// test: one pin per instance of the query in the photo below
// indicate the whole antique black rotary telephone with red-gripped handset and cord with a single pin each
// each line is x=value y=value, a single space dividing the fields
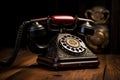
x=58 y=42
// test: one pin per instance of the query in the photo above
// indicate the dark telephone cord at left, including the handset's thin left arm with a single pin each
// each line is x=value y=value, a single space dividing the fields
x=12 y=58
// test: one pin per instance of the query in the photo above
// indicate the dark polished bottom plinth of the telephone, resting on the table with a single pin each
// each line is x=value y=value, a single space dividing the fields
x=59 y=63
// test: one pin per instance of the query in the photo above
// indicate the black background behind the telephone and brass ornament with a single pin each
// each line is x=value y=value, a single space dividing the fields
x=14 y=13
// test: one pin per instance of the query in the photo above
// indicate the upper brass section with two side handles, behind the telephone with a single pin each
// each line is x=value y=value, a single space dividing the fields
x=98 y=13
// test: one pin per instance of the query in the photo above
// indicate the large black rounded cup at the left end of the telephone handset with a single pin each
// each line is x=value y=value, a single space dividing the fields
x=37 y=36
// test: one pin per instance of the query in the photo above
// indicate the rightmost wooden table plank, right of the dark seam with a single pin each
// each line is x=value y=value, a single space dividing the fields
x=113 y=67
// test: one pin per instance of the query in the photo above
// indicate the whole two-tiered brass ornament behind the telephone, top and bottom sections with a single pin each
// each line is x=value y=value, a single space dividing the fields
x=100 y=40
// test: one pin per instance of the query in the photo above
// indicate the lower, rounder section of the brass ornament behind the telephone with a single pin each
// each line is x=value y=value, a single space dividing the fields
x=99 y=40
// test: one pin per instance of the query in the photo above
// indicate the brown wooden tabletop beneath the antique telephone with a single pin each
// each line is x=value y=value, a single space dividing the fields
x=26 y=68
